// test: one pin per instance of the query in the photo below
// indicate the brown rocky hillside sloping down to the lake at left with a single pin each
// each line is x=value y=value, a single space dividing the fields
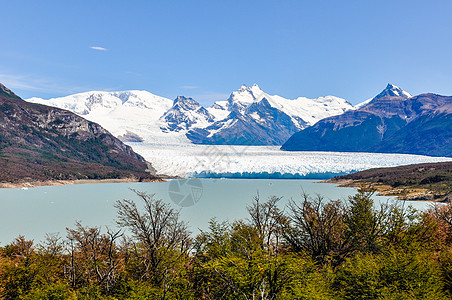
x=39 y=142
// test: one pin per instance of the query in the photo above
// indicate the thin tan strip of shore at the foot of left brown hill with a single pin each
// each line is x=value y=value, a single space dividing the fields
x=33 y=183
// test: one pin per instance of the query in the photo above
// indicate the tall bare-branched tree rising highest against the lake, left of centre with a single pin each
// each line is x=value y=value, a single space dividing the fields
x=161 y=240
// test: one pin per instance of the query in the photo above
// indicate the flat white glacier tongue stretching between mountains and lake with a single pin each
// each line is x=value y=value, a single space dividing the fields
x=189 y=160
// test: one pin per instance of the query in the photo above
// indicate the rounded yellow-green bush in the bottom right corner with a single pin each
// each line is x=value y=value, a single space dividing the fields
x=393 y=275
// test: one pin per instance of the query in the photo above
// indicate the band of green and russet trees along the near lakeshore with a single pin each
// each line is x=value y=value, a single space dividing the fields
x=311 y=249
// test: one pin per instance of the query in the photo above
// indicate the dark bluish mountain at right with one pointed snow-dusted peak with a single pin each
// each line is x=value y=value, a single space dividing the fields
x=392 y=122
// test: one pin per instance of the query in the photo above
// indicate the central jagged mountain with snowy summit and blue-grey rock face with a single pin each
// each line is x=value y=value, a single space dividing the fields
x=257 y=118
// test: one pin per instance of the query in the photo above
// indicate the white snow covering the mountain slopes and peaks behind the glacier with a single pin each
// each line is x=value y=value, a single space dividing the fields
x=140 y=113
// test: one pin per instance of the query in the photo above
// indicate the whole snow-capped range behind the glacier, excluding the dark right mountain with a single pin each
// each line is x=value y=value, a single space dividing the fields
x=249 y=116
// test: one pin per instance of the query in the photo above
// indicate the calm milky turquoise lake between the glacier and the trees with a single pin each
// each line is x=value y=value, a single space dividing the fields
x=35 y=211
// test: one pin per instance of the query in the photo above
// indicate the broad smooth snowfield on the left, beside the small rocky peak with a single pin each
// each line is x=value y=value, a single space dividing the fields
x=136 y=112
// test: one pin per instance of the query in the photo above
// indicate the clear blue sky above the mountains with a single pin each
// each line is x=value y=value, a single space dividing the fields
x=207 y=49
